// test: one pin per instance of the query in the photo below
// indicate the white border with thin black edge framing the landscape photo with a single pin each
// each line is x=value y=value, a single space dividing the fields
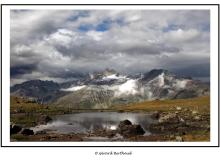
x=214 y=77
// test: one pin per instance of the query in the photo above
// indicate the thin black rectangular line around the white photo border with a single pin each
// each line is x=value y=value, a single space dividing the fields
x=2 y=5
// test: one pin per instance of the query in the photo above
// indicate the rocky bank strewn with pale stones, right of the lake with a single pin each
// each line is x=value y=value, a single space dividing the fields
x=182 y=125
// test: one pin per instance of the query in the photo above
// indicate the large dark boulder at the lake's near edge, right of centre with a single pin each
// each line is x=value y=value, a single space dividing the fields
x=127 y=129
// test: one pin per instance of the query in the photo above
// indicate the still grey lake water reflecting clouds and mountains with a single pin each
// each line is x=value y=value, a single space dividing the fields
x=89 y=121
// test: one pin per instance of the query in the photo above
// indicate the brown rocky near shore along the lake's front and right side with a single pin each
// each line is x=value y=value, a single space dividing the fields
x=181 y=124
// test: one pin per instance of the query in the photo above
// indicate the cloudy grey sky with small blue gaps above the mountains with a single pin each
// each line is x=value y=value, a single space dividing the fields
x=57 y=44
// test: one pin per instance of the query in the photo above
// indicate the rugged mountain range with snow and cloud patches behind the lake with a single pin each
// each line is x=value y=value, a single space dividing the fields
x=108 y=88
